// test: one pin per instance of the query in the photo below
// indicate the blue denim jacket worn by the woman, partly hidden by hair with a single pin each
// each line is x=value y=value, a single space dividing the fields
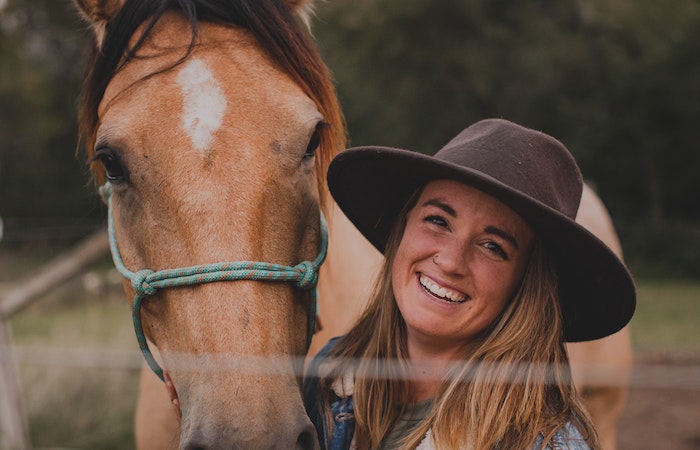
x=342 y=413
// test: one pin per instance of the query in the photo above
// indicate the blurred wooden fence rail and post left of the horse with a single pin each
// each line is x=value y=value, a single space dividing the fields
x=14 y=430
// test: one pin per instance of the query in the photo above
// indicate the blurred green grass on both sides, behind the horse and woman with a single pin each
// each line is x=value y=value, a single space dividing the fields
x=72 y=404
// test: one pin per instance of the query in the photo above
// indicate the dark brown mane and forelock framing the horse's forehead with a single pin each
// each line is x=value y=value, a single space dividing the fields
x=273 y=25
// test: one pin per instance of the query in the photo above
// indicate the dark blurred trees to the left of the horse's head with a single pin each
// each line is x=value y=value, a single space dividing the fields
x=41 y=48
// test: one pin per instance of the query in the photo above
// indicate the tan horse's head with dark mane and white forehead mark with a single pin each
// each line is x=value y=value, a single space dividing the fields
x=212 y=124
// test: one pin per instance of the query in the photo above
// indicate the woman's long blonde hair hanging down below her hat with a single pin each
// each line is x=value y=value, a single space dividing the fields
x=513 y=383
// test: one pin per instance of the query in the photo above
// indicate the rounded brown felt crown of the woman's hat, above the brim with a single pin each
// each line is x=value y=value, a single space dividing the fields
x=532 y=163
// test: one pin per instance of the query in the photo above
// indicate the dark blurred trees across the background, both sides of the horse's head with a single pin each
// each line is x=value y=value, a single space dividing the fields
x=616 y=81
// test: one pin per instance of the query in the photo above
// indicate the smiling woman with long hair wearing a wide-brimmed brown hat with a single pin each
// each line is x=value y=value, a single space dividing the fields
x=486 y=275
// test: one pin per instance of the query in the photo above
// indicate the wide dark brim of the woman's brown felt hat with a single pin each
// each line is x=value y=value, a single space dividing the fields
x=597 y=293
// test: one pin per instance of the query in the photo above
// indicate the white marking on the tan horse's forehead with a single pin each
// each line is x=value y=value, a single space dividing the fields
x=204 y=103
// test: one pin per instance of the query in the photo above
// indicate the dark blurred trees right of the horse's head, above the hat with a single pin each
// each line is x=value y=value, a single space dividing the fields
x=615 y=81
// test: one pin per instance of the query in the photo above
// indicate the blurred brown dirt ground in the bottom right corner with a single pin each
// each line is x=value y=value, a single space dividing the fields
x=663 y=409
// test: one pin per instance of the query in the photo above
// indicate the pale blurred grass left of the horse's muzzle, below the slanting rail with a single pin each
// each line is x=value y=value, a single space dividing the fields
x=78 y=366
